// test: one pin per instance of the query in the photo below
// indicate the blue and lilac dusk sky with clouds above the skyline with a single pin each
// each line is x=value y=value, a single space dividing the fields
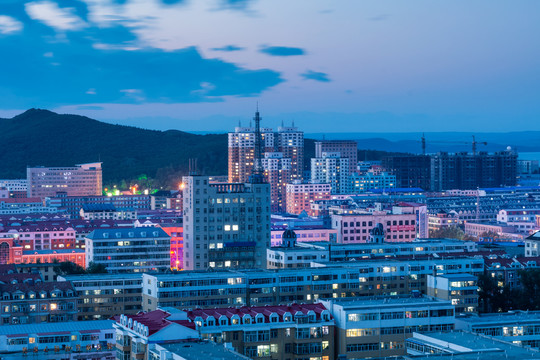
x=326 y=65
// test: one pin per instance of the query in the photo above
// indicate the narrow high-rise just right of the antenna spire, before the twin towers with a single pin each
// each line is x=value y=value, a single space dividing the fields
x=277 y=171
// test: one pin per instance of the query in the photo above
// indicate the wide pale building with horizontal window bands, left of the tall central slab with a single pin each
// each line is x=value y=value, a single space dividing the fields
x=129 y=250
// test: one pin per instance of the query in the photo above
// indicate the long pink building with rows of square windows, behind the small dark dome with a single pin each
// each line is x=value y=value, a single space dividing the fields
x=355 y=228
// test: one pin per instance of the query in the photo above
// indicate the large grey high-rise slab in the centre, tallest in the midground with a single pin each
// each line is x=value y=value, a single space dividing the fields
x=226 y=225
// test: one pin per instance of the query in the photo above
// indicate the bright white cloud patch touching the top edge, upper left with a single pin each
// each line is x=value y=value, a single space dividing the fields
x=51 y=14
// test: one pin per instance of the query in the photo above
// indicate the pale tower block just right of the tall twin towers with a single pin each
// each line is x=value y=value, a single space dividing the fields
x=332 y=169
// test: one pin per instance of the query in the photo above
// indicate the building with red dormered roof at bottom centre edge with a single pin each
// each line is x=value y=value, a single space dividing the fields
x=294 y=331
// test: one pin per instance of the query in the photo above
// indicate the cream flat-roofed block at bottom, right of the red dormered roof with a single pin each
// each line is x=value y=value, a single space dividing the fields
x=379 y=326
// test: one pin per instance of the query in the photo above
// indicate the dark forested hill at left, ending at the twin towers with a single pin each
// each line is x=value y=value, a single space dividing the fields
x=41 y=137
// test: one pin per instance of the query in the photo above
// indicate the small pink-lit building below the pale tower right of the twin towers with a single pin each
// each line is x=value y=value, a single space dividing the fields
x=300 y=196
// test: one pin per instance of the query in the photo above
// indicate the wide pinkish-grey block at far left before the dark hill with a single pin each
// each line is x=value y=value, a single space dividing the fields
x=79 y=180
